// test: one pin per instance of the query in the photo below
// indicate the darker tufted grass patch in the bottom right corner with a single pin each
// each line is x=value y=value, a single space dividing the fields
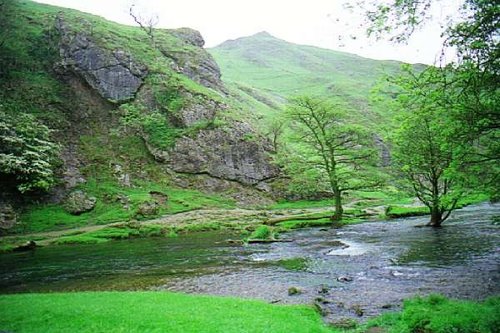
x=437 y=314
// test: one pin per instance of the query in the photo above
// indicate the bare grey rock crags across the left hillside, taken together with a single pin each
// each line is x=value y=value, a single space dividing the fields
x=233 y=151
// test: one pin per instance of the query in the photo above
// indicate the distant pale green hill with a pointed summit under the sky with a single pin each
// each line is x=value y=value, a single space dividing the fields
x=264 y=71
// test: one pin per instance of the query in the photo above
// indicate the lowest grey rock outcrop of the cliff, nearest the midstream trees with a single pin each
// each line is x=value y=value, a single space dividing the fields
x=224 y=153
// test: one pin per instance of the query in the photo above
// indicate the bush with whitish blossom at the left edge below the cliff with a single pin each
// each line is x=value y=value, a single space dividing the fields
x=28 y=156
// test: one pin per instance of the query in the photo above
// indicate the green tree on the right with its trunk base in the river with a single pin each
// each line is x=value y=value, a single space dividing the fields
x=426 y=148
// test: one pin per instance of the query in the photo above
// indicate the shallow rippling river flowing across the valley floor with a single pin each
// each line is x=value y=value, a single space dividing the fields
x=356 y=271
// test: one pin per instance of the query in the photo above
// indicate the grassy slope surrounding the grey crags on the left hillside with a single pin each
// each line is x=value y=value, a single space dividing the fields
x=88 y=128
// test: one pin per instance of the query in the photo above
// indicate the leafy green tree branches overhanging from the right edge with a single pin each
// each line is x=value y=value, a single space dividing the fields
x=468 y=86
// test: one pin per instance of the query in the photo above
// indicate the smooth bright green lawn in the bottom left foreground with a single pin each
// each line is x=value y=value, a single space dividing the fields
x=151 y=312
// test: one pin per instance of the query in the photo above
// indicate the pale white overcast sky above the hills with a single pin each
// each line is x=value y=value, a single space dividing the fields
x=322 y=23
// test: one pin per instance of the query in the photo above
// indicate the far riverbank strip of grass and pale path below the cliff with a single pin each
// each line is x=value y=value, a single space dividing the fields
x=282 y=217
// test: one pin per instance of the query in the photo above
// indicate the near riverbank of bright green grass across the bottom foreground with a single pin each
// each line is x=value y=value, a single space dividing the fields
x=172 y=312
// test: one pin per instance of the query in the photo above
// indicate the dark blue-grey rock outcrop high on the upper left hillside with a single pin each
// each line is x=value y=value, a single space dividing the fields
x=115 y=75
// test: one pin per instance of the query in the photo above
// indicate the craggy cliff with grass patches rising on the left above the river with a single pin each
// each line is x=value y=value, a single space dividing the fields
x=130 y=111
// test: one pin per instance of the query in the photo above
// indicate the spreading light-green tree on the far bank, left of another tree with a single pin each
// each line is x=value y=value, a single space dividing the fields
x=329 y=148
